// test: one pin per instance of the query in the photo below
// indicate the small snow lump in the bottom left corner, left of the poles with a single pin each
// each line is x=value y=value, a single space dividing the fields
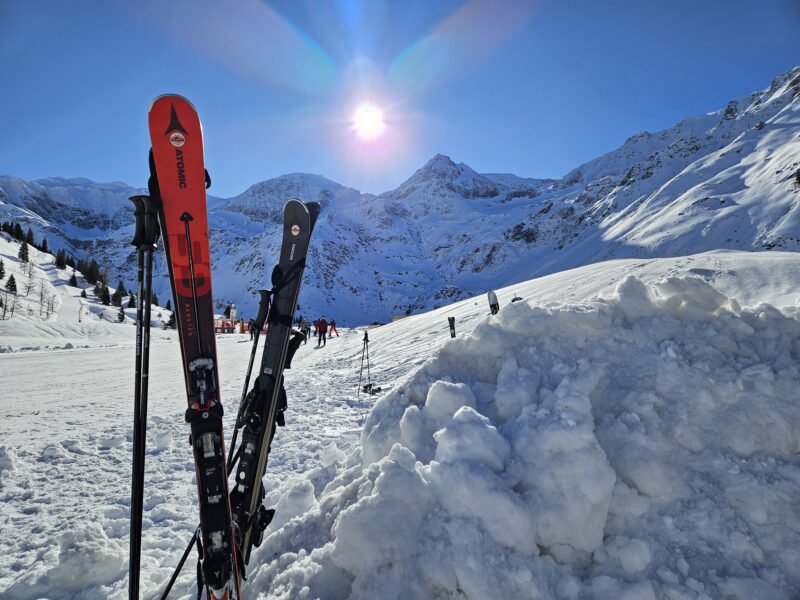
x=87 y=561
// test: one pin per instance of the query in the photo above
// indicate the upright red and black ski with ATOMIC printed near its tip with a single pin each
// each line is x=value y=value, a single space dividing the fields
x=180 y=180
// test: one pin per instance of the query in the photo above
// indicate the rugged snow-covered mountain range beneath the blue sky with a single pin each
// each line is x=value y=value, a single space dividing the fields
x=727 y=179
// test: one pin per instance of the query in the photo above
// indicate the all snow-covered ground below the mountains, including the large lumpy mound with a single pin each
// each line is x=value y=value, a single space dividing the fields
x=627 y=430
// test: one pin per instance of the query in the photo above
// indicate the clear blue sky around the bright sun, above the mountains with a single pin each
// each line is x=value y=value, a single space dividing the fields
x=529 y=87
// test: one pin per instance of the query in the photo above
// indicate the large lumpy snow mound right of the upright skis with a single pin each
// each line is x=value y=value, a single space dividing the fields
x=641 y=445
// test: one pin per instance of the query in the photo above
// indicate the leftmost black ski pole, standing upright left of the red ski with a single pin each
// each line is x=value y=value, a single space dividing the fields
x=134 y=543
